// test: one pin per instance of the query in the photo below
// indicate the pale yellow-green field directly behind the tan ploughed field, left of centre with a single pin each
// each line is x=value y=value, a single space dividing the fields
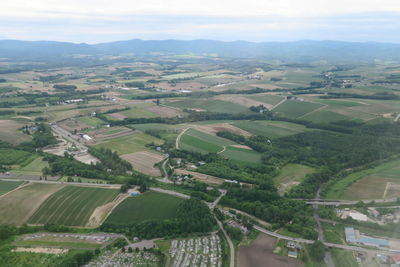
x=130 y=143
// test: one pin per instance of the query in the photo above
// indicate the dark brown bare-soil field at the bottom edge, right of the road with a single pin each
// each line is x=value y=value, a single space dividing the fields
x=259 y=254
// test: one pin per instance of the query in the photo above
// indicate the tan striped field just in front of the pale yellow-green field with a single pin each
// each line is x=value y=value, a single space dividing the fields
x=144 y=162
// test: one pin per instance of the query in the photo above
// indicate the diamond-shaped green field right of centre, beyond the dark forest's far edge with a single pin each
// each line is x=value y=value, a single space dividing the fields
x=295 y=109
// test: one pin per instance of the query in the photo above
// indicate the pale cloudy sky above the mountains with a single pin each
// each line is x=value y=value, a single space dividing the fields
x=94 y=21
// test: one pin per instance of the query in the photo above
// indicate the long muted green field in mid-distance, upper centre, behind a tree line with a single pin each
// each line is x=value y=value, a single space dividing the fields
x=209 y=105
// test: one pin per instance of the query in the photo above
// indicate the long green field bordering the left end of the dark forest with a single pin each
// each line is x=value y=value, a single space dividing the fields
x=272 y=129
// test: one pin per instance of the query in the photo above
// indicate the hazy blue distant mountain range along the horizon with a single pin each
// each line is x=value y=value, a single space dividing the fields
x=289 y=51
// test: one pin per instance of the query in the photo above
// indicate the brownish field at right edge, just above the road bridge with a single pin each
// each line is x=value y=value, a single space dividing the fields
x=372 y=187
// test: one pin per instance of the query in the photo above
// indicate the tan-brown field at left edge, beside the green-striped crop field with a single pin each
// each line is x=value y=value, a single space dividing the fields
x=18 y=206
